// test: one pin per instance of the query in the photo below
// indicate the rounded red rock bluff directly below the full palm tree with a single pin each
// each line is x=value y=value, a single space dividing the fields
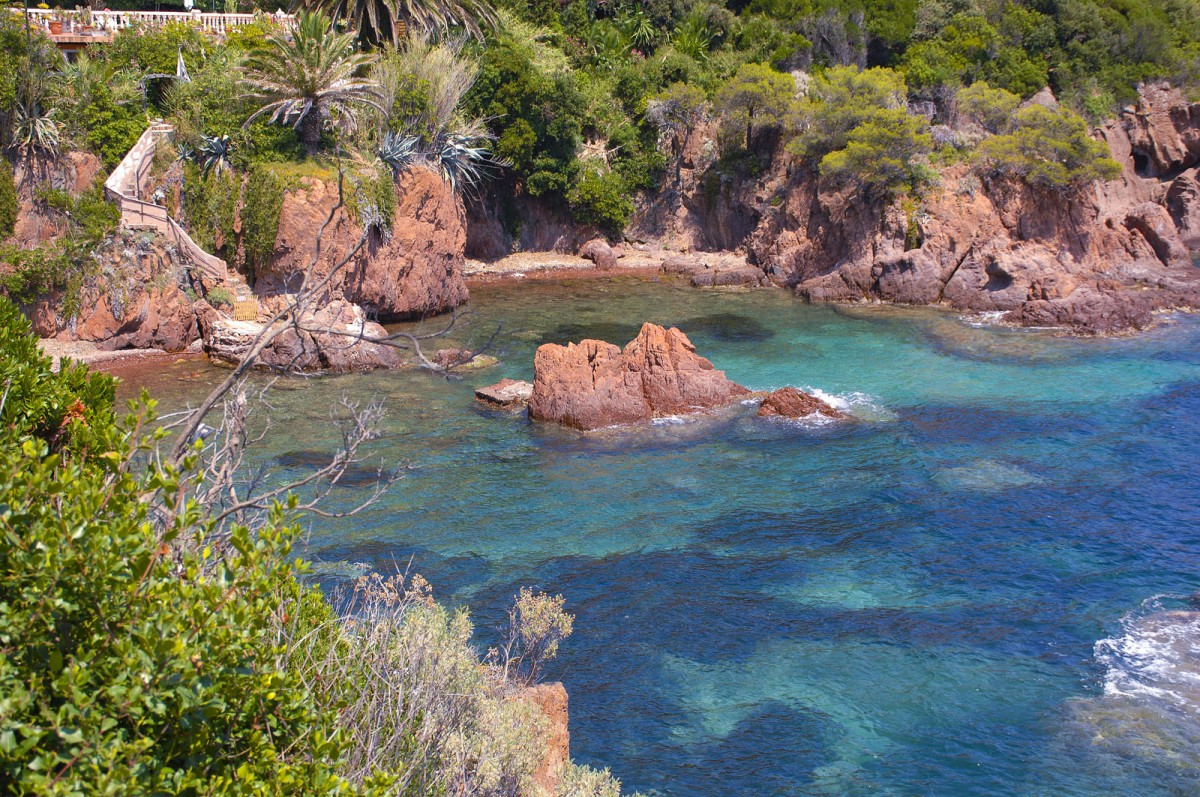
x=416 y=273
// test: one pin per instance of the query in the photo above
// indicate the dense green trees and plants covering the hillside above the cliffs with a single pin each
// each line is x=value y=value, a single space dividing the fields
x=580 y=104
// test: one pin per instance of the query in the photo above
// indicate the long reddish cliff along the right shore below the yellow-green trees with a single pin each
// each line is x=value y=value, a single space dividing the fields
x=1100 y=260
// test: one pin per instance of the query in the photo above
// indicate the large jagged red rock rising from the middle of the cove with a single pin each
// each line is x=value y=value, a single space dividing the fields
x=593 y=385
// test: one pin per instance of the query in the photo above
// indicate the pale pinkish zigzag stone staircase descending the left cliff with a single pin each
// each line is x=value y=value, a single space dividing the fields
x=124 y=187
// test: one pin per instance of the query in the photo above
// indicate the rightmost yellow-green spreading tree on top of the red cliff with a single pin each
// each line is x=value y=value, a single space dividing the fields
x=1048 y=148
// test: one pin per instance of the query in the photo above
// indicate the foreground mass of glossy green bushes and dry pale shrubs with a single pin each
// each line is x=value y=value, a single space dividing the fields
x=153 y=646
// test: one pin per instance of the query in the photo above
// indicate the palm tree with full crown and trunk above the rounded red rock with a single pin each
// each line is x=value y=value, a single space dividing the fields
x=310 y=77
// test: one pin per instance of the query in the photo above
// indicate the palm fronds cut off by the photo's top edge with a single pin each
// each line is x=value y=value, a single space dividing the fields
x=380 y=22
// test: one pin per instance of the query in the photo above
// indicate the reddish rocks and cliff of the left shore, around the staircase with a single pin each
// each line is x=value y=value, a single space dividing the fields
x=137 y=293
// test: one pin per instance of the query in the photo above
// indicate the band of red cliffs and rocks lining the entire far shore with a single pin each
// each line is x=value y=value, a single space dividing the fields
x=1111 y=259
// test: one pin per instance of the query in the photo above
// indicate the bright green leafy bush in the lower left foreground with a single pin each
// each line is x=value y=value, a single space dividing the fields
x=141 y=652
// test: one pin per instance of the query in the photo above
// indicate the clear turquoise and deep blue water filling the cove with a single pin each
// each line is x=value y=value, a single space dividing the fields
x=931 y=602
